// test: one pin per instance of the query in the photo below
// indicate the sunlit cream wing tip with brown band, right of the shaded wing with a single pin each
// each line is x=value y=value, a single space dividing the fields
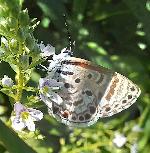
x=120 y=95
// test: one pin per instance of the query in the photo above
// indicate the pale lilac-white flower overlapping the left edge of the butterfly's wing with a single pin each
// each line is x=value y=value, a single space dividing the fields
x=47 y=88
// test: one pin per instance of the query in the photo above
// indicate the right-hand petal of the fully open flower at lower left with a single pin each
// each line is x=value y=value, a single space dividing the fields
x=35 y=114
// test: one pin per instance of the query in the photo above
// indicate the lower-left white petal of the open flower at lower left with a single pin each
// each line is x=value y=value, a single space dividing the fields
x=17 y=123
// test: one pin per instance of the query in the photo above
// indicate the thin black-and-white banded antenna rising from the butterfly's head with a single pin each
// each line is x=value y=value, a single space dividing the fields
x=69 y=35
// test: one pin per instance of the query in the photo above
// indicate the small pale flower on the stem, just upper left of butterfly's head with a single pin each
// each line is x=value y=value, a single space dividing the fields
x=46 y=50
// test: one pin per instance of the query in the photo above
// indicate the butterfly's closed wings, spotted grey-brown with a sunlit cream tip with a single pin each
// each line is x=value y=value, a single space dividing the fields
x=91 y=92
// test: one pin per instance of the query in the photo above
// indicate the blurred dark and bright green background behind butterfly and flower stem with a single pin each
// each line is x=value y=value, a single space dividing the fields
x=111 y=33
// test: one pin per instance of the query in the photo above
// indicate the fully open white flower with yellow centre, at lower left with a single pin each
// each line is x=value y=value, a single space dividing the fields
x=25 y=117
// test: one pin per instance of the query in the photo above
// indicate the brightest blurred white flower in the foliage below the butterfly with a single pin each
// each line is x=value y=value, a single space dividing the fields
x=119 y=140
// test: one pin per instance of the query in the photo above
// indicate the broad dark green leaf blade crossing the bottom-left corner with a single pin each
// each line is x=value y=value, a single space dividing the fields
x=12 y=142
